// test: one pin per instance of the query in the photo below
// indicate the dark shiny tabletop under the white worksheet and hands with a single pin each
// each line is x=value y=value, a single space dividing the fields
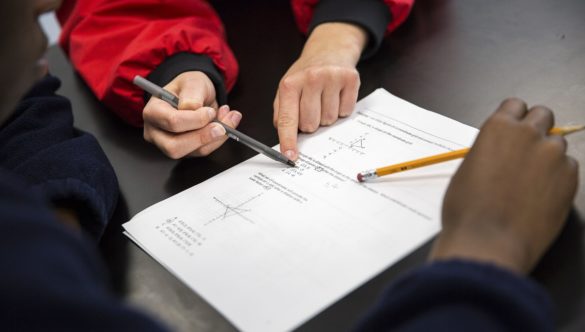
x=456 y=58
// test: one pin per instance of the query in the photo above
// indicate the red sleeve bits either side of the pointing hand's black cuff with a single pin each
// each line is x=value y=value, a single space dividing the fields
x=304 y=10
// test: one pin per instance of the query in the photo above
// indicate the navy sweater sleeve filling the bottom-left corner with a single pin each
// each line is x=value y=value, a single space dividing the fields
x=51 y=278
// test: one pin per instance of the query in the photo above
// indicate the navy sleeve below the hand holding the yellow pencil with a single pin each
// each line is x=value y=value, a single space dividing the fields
x=461 y=296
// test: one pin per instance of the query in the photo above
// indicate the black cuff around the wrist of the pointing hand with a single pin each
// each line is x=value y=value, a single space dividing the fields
x=372 y=15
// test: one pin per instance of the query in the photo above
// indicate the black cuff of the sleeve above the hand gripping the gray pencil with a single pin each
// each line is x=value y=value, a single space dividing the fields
x=183 y=62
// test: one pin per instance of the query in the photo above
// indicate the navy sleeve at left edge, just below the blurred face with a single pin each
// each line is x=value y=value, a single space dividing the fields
x=66 y=165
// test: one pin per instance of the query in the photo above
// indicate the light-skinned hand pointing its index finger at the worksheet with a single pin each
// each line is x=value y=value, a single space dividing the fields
x=321 y=86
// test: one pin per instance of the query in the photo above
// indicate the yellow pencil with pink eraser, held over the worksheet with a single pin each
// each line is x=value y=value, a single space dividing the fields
x=439 y=158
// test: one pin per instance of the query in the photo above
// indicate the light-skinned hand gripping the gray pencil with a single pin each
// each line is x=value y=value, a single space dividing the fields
x=188 y=131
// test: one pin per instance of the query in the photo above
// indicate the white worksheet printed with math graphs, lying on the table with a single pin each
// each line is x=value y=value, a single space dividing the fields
x=270 y=246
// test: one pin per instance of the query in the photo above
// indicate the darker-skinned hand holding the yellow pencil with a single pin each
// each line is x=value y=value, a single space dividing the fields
x=509 y=199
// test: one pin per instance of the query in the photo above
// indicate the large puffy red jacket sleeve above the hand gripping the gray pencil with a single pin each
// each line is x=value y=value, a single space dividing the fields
x=109 y=42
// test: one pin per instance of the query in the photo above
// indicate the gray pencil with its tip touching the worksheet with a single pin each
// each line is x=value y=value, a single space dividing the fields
x=248 y=141
